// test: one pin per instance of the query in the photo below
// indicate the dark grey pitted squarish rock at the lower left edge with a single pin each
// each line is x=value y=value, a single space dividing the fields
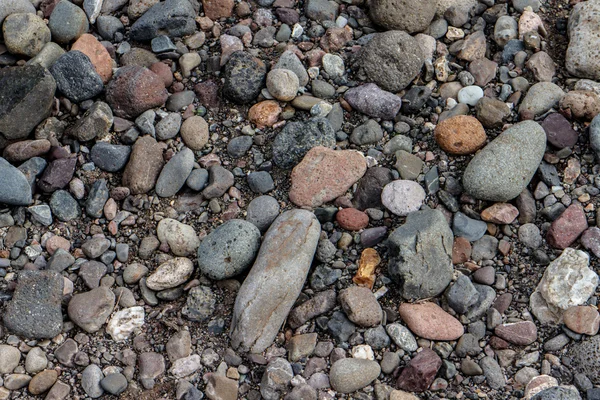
x=35 y=308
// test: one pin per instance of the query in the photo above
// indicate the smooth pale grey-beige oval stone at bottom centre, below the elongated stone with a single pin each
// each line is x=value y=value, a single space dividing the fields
x=351 y=374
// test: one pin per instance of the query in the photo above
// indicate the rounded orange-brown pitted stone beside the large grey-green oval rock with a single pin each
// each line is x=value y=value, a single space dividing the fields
x=461 y=134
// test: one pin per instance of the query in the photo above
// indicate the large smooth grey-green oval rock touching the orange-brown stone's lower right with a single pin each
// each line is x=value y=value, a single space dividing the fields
x=505 y=166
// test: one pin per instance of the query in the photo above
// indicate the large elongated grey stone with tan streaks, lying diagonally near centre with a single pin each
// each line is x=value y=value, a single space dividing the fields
x=275 y=280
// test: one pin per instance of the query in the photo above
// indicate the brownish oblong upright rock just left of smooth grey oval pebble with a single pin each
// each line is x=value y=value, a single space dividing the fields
x=144 y=165
